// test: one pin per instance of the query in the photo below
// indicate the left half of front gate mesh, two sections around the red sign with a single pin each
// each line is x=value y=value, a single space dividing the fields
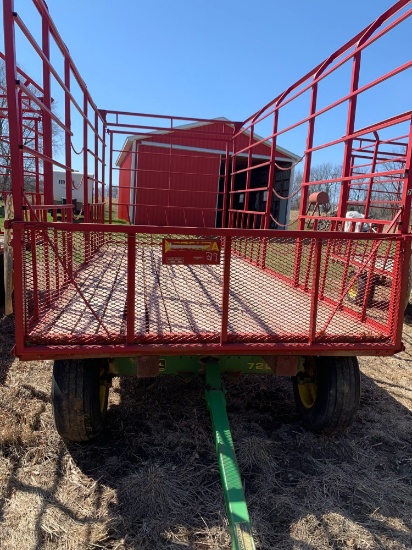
x=77 y=290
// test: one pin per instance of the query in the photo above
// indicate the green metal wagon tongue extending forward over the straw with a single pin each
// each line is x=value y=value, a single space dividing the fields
x=239 y=521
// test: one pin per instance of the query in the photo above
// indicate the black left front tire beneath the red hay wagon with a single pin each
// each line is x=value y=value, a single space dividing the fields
x=79 y=409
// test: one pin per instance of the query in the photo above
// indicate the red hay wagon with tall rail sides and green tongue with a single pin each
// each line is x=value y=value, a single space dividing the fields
x=208 y=281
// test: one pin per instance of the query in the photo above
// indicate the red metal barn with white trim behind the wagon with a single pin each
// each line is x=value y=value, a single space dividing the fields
x=176 y=177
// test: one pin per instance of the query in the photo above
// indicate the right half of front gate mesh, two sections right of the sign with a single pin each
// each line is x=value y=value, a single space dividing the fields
x=310 y=290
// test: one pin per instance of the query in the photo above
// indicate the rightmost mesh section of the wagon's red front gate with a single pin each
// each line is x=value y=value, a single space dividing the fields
x=359 y=291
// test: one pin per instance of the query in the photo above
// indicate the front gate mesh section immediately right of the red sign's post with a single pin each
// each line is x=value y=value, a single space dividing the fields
x=262 y=295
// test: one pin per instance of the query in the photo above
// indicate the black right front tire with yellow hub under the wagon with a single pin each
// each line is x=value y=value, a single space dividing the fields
x=334 y=407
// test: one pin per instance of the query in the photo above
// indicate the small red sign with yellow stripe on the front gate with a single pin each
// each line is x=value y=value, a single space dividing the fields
x=191 y=251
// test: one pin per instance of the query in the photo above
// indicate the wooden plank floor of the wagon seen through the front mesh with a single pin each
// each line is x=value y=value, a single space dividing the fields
x=184 y=304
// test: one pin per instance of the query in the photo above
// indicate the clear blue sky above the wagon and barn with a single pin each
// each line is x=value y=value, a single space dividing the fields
x=214 y=58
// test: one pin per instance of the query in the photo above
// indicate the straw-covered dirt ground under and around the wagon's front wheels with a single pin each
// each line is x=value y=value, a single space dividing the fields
x=152 y=481
